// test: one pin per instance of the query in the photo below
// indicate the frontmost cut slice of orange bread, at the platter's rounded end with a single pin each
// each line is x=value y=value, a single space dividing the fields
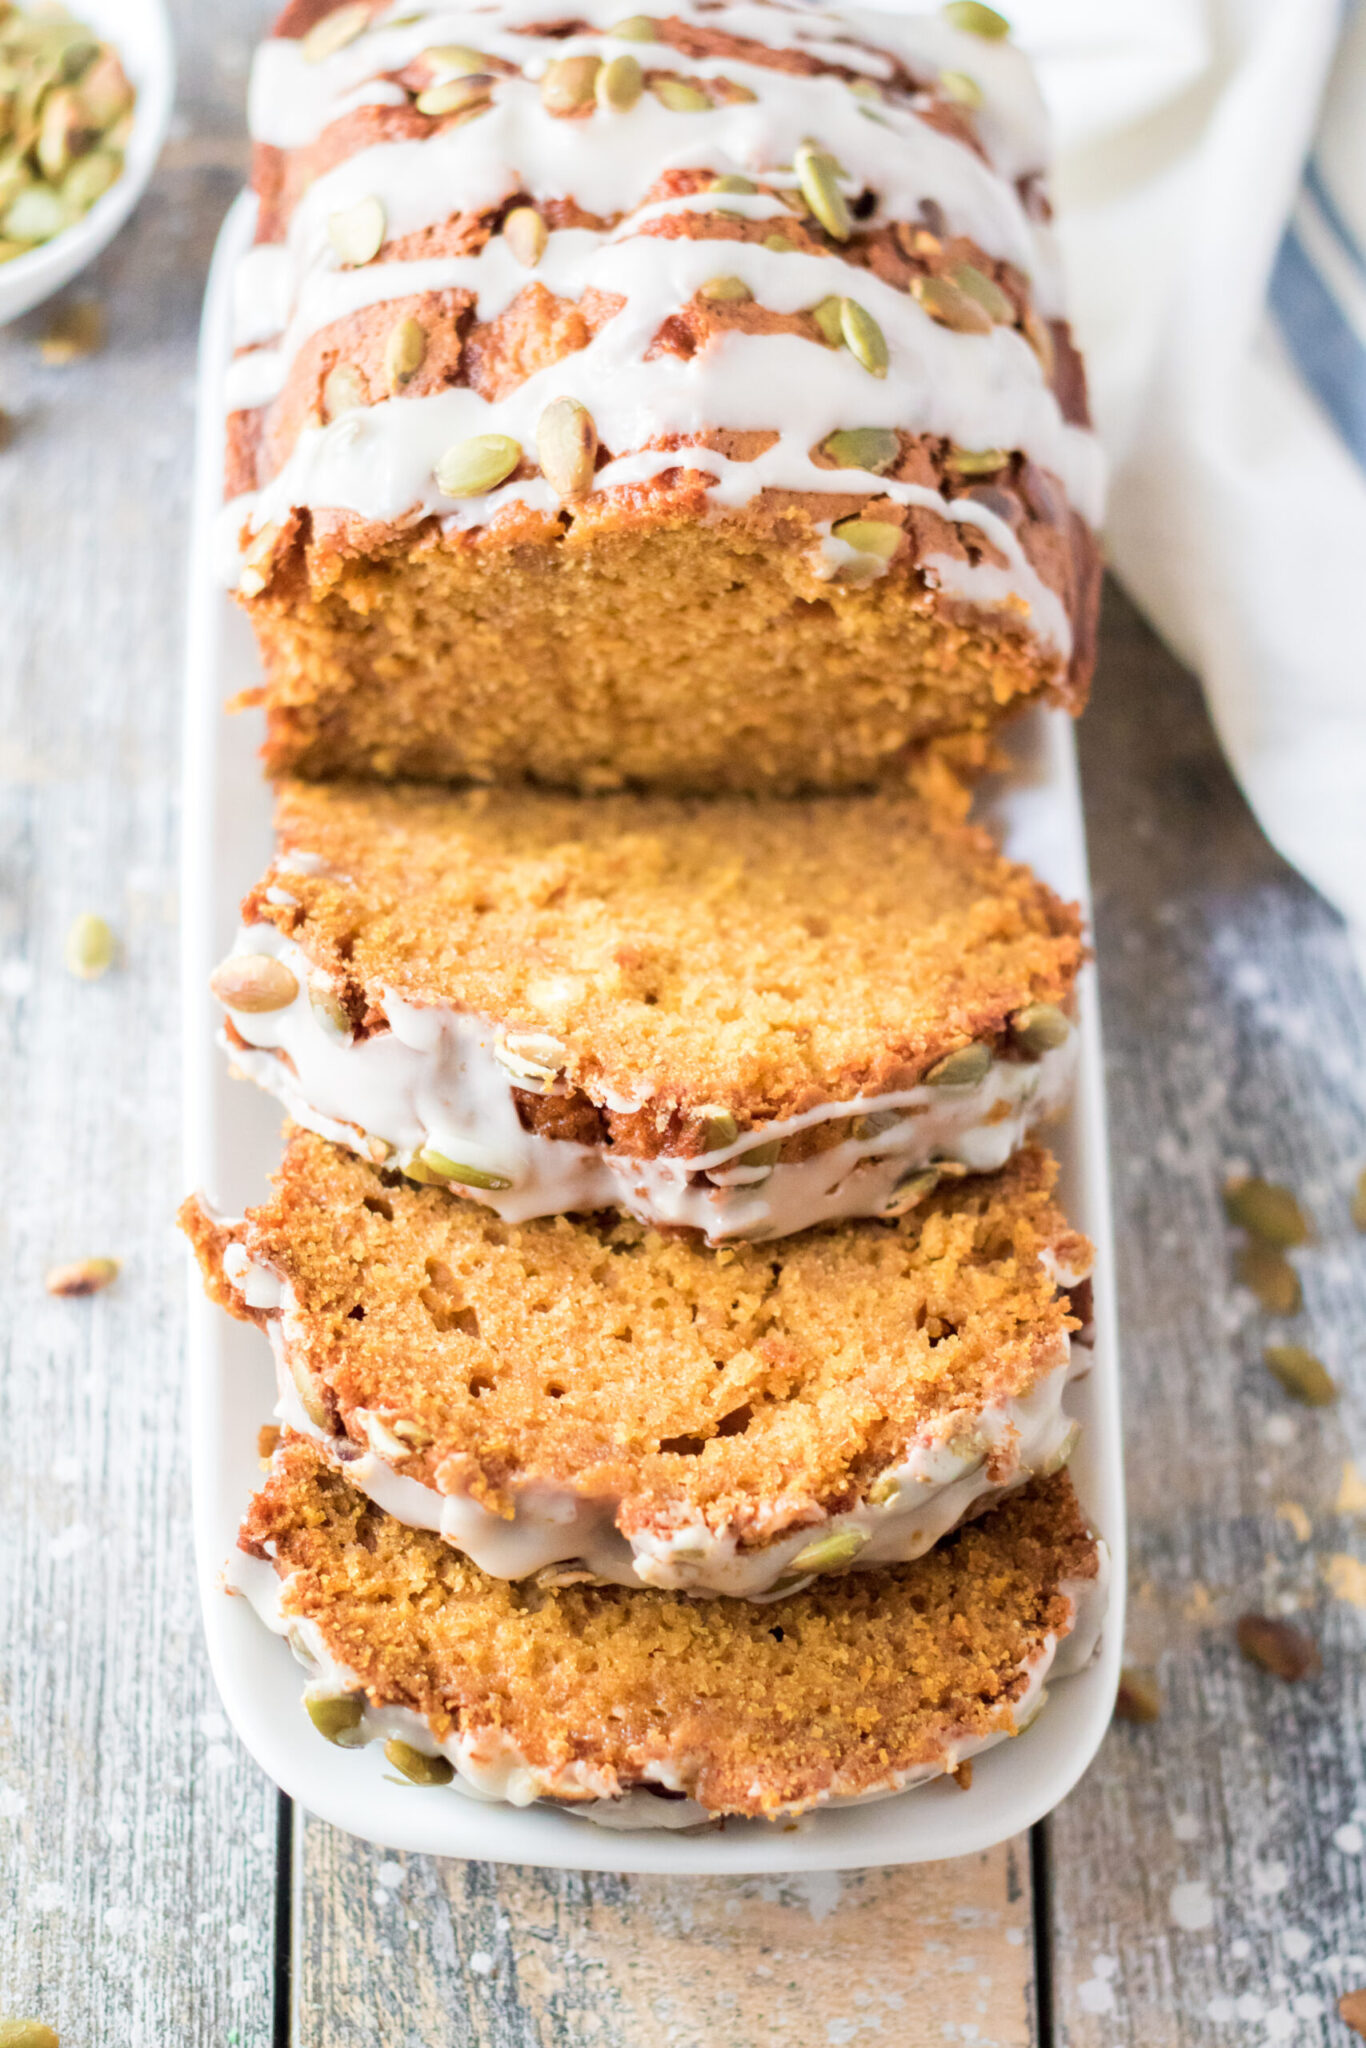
x=855 y=1689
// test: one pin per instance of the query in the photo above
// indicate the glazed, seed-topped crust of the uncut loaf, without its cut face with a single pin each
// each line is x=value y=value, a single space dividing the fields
x=511 y=263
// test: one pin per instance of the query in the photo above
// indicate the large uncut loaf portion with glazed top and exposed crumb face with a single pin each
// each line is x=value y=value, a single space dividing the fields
x=687 y=404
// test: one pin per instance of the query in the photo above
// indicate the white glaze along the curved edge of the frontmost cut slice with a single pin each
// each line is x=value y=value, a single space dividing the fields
x=490 y=1766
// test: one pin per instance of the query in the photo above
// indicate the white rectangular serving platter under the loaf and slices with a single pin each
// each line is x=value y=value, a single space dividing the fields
x=232 y=1142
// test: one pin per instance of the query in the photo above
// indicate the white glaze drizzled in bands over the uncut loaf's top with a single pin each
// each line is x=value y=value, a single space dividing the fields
x=378 y=462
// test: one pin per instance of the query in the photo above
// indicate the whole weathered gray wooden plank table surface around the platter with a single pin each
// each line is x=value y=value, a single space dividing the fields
x=1205 y=1885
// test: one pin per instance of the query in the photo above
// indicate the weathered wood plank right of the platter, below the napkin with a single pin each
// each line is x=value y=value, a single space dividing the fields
x=1236 y=1035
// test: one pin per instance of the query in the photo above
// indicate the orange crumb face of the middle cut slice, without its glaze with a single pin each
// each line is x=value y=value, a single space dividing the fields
x=755 y=1388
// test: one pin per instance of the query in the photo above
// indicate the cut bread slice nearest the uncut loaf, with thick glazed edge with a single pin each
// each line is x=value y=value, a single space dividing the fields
x=728 y=1017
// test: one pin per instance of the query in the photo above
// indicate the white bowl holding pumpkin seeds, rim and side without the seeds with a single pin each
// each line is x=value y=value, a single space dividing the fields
x=140 y=32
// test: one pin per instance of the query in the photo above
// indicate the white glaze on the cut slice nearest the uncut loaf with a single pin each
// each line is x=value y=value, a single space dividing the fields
x=433 y=1080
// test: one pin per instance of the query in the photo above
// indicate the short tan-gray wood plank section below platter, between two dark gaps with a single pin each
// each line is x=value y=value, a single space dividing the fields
x=423 y=1955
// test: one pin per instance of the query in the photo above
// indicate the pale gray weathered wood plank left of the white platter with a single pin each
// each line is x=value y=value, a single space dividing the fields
x=136 y=1842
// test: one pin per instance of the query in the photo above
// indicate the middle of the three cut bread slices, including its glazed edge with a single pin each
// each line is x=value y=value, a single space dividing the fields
x=591 y=1398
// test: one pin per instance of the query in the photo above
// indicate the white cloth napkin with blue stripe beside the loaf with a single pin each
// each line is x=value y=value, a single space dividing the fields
x=1211 y=202
